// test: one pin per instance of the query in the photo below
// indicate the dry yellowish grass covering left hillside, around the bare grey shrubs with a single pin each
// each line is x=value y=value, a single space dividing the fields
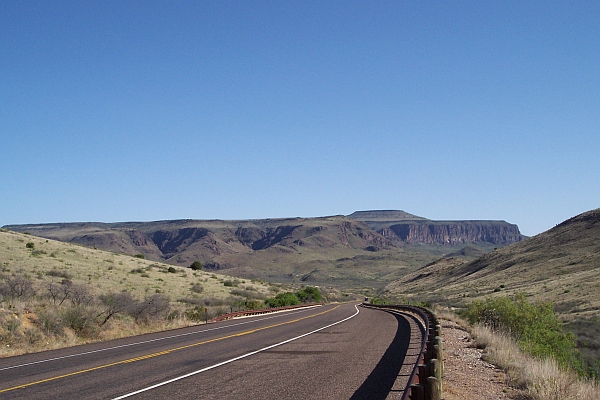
x=24 y=325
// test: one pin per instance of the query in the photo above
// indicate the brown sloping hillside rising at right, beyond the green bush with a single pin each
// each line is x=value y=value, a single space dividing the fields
x=561 y=265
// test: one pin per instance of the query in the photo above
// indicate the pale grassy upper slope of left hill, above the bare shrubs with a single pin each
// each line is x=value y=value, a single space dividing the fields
x=104 y=271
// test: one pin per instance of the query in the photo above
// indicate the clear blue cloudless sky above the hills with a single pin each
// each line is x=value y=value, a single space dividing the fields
x=149 y=110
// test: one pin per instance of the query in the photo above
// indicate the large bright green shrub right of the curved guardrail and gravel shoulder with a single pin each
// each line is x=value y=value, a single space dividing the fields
x=535 y=327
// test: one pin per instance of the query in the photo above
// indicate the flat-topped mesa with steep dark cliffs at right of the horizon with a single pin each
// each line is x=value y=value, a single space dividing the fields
x=411 y=229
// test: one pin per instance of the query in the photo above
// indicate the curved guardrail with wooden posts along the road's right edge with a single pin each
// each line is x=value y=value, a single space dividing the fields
x=425 y=381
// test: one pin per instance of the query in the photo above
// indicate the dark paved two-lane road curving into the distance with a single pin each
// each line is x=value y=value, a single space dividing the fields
x=329 y=352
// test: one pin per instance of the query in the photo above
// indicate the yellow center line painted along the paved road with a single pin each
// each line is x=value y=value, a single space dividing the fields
x=164 y=352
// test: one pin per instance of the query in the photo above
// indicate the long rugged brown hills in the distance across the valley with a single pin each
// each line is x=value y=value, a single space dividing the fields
x=336 y=250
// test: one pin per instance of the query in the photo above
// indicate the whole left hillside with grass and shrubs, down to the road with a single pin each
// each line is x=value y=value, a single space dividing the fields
x=55 y=294
